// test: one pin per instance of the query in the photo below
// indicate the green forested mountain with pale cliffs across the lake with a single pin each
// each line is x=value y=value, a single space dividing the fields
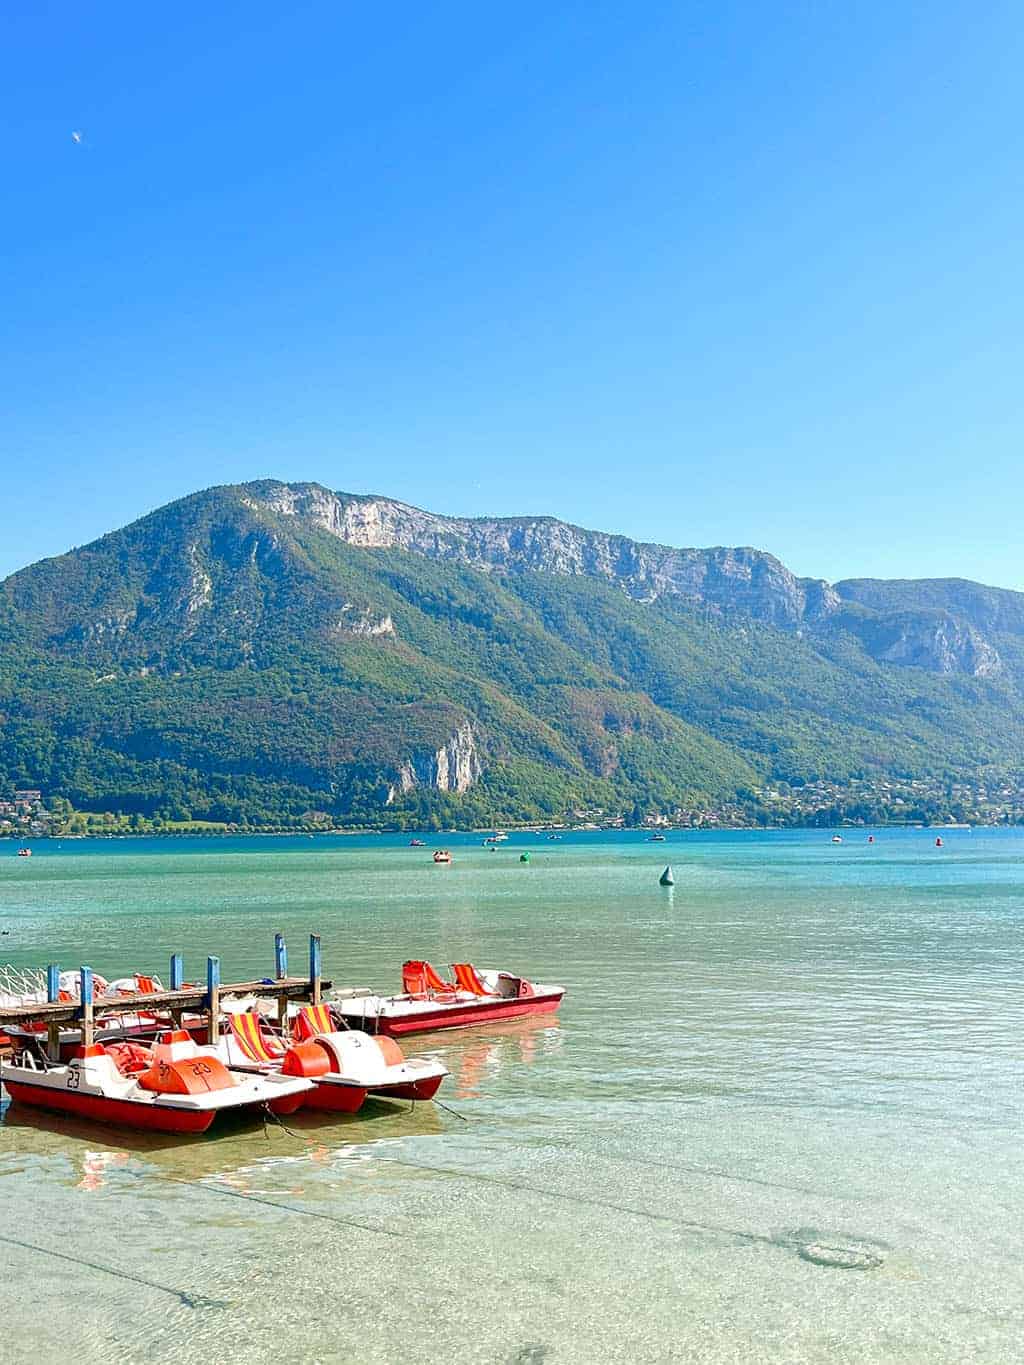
x=266 y=650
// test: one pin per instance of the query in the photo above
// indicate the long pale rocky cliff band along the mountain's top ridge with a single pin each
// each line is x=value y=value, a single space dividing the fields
x=941 y=626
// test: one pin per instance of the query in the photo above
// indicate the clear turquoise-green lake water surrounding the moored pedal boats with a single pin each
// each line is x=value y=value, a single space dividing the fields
x=803 y=1046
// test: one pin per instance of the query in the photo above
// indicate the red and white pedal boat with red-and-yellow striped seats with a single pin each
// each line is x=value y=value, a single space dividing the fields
x=345 y=1067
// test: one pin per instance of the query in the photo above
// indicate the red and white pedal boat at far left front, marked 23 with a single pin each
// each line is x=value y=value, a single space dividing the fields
x=174 y=1087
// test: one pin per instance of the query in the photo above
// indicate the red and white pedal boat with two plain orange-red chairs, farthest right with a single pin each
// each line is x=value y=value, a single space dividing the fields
x=429 y=1003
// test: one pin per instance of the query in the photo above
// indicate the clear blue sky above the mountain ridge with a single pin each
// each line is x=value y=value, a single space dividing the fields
x=719 y=274
